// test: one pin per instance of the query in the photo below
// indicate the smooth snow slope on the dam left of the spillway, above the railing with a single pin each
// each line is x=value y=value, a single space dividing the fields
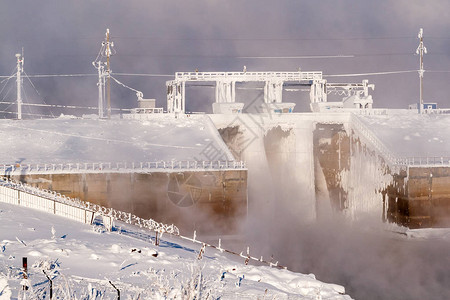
x=69 y=140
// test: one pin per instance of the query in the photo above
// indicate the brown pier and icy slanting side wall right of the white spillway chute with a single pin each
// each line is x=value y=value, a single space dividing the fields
x=356 y=176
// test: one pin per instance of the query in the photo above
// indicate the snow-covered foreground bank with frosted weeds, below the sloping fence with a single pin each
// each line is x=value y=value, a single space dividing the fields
x=82 y=259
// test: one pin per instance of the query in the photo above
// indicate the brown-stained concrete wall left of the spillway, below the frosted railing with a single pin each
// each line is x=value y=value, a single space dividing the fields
x=206 y=201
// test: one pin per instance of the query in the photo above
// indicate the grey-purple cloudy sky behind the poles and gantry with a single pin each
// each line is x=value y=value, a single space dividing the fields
x=162 y=37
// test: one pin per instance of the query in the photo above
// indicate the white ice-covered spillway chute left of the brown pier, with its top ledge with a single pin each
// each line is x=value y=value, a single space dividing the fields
x=279 y=154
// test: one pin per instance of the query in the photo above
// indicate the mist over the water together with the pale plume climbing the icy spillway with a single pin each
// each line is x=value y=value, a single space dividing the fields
x=370 y=262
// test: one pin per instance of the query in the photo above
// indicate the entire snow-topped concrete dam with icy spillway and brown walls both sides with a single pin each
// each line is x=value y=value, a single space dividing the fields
x=189 y=169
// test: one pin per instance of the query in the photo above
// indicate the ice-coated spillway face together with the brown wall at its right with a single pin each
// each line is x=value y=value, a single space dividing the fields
x=314 y=165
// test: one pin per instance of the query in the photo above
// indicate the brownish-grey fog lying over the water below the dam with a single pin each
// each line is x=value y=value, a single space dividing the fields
x=368 y=260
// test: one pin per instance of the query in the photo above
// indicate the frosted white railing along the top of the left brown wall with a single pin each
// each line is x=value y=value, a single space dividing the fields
x=13 y=169
